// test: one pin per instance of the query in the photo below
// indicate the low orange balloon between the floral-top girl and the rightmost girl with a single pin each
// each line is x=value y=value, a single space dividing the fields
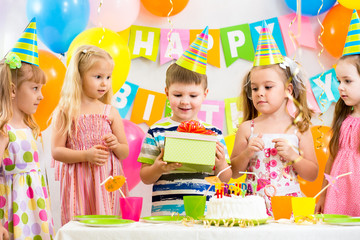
x=321 y=136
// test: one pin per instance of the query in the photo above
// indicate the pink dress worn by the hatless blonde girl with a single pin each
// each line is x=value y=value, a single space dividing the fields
x=80 y=190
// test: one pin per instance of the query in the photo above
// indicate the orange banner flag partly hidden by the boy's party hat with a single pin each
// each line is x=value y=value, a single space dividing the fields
x=213 y=45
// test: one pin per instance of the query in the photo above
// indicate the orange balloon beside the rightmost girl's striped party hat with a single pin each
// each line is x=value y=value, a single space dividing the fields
x=336 y=24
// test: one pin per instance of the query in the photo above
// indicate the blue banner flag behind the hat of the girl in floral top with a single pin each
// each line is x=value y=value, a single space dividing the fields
x=274 y=27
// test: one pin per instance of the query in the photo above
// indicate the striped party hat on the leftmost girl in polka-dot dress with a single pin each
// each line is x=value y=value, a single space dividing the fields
x=26 y=46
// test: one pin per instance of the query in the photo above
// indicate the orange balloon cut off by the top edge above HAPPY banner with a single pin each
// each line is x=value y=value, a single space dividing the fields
x=162 y=8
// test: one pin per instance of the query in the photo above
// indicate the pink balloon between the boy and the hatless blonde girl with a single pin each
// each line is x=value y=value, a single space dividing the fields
x=131 y=166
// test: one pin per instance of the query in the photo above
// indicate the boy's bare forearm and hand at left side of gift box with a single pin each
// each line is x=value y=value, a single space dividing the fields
x=150 y=173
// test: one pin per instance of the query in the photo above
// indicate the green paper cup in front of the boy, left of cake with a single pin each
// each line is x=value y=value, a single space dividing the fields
x=194 y=206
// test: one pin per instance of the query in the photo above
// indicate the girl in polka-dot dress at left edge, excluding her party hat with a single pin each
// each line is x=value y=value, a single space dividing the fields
x=24 y=199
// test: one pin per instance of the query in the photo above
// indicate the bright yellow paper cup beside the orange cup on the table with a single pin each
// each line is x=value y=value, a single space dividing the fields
x=303 y=207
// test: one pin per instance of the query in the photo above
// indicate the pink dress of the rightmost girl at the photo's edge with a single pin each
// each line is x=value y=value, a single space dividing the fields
x=346 y=198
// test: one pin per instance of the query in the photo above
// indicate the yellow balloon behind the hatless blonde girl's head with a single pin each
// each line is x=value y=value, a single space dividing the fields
x=111 y=42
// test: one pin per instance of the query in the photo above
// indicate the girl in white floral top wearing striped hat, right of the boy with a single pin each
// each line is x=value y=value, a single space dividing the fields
x=270 y=142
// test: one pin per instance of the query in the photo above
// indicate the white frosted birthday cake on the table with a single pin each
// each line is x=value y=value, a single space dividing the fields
x=236 y=207
